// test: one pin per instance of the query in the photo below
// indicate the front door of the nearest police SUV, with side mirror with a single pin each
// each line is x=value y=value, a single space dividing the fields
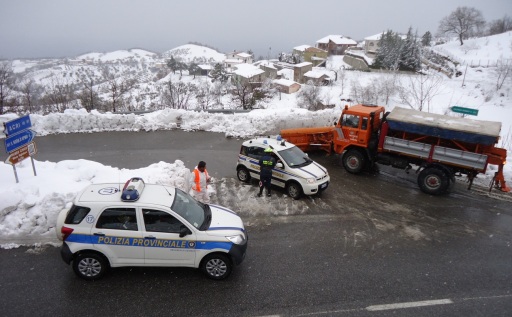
x=162 y=243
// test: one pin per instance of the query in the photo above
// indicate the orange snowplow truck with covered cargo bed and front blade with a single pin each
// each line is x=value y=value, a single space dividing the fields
x=439 y=146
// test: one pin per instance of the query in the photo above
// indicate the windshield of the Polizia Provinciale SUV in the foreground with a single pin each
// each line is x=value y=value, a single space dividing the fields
x=190 y=209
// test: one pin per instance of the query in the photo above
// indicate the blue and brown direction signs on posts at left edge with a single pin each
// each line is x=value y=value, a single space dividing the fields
x=19 y=142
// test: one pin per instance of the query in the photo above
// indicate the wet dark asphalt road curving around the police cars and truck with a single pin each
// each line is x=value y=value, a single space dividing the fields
x=368 y=240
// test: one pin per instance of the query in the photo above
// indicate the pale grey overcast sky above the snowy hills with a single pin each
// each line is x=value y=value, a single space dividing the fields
x=58 y=28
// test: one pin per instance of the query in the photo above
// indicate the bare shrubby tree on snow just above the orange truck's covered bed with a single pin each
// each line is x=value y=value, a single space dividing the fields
x=417 y=91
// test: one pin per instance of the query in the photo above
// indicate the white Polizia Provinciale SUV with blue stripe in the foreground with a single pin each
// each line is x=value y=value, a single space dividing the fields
x=148 y=225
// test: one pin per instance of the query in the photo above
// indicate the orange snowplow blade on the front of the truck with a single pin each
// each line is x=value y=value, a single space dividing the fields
x=308 y=139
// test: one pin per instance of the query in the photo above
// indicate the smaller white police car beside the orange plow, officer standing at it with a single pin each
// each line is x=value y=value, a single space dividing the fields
x=294 y=171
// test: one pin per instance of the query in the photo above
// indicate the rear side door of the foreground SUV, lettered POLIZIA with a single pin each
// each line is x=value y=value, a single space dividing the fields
x=116 y=234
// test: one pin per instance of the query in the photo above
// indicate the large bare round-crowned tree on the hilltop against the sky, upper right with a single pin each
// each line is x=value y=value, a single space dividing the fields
x=462 y=22
